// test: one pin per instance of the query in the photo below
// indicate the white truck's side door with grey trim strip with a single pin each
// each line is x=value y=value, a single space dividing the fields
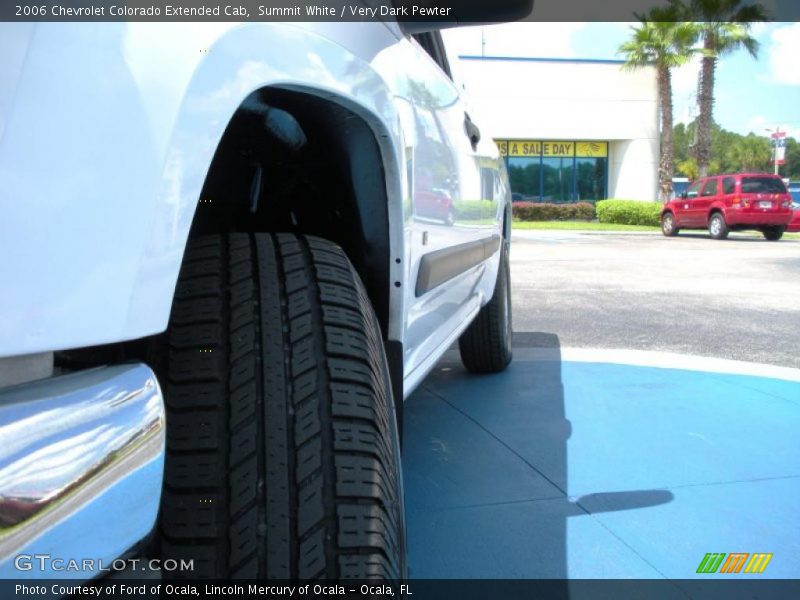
x=455 y=200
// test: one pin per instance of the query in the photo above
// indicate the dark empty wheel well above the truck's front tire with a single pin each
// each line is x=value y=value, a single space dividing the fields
x=292 y=161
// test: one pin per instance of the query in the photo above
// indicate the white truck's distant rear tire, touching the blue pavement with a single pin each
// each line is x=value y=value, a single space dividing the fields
x=485 y=345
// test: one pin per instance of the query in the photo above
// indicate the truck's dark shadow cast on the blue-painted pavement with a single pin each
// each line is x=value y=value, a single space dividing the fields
x=486 y=474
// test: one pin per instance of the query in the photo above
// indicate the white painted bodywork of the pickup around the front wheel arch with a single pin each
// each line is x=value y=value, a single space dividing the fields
x=107 y=132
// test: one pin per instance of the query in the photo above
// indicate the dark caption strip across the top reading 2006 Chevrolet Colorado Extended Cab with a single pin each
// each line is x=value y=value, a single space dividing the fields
x=443 y=12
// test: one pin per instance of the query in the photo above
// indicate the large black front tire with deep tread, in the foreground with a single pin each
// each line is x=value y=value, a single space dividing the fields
x=283 y=457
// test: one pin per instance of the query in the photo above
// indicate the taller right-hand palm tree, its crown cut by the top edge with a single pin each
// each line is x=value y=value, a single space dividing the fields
x=723 y=27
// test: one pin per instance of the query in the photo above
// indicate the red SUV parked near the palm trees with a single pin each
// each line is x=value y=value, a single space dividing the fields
x=725 y=203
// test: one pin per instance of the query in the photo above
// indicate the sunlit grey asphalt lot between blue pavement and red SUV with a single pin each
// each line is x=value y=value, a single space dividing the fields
x=738 y=298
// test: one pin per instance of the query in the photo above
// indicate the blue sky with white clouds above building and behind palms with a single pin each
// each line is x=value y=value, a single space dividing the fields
x=751 y=94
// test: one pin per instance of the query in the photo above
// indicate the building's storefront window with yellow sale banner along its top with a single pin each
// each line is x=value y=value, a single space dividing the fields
x=556 y=171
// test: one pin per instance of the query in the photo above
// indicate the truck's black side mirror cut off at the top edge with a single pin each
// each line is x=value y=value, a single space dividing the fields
x=419 y=16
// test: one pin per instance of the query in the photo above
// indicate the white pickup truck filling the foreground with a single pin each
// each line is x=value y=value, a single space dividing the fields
x=229 y=251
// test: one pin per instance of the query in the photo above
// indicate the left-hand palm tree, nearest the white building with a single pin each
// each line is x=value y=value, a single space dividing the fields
x=659 y=40
